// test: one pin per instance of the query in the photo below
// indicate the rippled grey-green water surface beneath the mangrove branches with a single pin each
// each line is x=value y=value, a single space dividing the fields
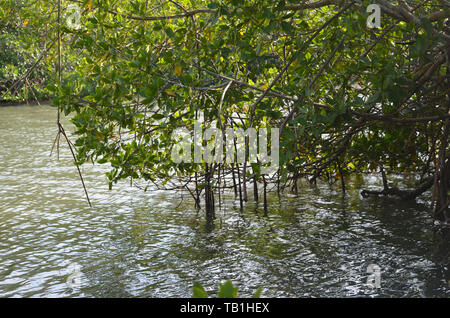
x=146 y=244
